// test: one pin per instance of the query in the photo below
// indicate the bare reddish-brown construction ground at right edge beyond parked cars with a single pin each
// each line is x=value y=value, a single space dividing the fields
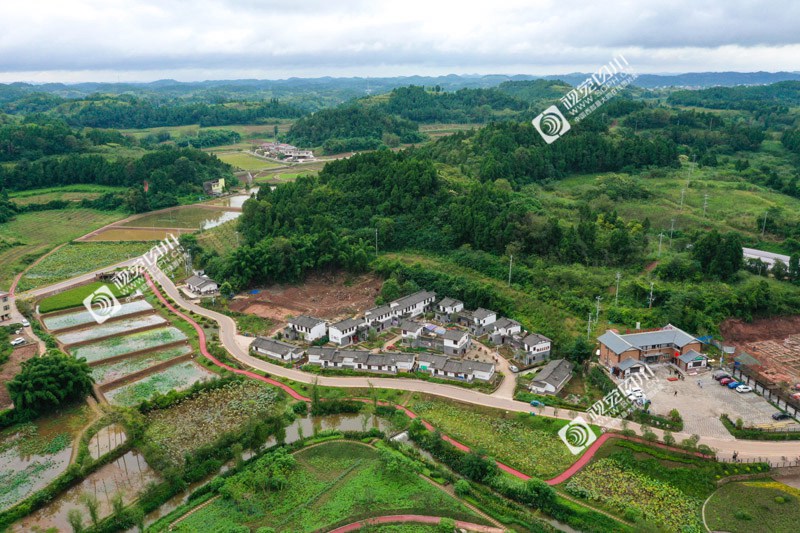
x=774 y=342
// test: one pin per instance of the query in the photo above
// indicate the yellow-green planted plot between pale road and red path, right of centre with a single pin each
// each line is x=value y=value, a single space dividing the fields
x=529 y=444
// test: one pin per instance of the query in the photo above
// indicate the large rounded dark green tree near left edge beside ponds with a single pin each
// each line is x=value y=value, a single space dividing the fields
x=49 y=382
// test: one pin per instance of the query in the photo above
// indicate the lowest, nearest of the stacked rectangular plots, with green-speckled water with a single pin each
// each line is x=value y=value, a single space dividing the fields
x=177 y=377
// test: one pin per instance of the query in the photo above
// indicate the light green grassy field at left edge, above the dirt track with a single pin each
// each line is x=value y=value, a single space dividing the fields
x=30 y=235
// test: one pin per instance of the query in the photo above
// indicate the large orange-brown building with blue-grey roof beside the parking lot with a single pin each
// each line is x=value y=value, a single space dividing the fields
x=661 y=345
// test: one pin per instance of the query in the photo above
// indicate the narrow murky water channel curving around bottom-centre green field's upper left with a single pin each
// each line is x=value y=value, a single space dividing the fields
x=299 y=429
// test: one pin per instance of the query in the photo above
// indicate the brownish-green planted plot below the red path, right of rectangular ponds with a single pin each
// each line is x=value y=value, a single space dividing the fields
x=199 y=420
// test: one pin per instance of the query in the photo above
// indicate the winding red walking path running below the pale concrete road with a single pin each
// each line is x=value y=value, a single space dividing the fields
x=566 y=474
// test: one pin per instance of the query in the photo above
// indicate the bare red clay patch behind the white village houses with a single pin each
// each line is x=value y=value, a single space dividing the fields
x=321 y=295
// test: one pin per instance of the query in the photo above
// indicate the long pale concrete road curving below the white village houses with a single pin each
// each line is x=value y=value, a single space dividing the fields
x=767 y=450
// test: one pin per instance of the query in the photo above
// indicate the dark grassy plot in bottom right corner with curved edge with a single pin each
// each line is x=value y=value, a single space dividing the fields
x=742 y=507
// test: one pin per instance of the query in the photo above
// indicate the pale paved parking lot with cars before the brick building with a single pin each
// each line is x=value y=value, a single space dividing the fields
x=701 y=400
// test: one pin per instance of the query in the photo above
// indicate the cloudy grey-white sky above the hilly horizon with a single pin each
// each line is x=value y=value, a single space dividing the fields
x=143 y=40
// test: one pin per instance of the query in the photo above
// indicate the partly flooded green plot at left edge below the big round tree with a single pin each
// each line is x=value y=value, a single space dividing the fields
x=34 y=453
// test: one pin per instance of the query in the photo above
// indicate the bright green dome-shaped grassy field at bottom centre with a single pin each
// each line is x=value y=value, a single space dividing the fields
x=330 y=484
